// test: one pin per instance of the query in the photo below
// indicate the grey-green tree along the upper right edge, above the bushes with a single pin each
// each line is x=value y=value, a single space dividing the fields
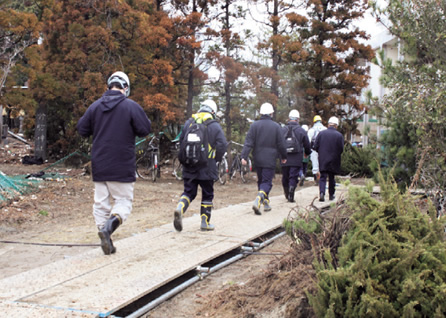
x=416 y=85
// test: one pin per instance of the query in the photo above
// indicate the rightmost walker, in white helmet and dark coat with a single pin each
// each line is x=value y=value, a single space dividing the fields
x=329 y=145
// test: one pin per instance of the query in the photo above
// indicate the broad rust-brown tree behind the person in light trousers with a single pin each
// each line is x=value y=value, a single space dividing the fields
x=83 y=44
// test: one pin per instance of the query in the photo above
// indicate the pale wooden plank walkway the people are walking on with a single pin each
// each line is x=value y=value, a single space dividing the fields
x=92 y=284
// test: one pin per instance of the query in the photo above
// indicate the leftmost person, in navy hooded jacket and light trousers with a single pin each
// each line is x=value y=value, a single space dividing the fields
x=114 y=121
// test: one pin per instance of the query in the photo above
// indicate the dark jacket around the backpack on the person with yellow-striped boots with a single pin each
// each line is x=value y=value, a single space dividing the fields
x=217 y=141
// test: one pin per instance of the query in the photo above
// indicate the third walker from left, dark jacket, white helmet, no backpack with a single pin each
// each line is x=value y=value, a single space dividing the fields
x=267 y=143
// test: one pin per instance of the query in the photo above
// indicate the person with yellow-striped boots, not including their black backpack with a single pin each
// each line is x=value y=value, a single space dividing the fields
x=202 y=176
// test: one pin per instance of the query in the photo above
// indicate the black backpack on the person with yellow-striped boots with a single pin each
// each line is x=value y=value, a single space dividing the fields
x=194 y=147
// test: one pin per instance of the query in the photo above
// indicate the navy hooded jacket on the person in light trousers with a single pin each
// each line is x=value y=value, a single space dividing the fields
x=114 y=121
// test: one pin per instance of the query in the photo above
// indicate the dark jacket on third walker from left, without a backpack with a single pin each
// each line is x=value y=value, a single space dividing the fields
x=266 y=141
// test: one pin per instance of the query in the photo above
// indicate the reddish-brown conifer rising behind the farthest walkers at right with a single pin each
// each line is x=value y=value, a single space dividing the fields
x=328 y=54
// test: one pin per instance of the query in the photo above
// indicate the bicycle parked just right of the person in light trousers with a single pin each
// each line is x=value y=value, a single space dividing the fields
x=147 y=165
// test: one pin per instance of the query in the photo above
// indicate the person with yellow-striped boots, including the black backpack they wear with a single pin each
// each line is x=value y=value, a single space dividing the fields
x=195 y=171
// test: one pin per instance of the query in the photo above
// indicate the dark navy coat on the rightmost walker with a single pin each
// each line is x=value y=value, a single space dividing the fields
x=329 y=145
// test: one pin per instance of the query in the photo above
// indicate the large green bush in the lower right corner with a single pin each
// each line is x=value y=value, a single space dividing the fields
x=391 y=262
